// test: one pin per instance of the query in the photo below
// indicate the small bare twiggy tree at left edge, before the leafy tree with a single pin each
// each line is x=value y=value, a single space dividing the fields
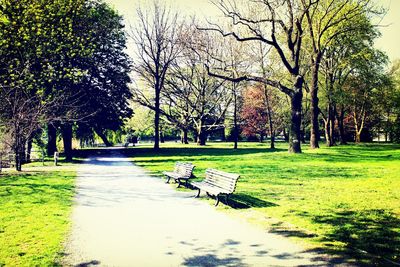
x=22 y=113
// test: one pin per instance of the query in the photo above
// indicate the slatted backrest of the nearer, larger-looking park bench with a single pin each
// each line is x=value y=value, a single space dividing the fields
x=224 y=180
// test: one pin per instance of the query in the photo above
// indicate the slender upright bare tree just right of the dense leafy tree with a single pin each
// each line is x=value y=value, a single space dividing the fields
x=157 y=37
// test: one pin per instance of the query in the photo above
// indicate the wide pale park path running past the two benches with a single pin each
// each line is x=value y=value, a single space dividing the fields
x=124 y=217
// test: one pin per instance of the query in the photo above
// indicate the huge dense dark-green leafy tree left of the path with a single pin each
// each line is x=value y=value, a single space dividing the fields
x=61 y=61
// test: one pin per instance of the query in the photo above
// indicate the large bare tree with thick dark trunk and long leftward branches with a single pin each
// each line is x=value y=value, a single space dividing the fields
x=278 y=24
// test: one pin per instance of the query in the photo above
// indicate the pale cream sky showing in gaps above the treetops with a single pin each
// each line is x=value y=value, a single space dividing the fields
x=389 y=42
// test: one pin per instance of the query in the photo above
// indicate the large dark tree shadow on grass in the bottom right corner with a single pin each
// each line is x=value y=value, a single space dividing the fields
x=370 y=238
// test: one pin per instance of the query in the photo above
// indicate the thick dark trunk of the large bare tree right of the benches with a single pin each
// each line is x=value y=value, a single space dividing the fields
x=295 y=126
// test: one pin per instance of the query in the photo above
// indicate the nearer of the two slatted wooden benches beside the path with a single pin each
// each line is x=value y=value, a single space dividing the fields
x=217 y=183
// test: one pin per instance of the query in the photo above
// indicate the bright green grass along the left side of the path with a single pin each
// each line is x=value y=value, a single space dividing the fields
x=35 y=207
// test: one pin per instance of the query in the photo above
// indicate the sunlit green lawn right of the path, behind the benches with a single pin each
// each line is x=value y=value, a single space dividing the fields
x=344 y=199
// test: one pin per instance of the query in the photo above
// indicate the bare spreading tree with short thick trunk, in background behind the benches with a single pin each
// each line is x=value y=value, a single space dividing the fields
x=192 y=94
